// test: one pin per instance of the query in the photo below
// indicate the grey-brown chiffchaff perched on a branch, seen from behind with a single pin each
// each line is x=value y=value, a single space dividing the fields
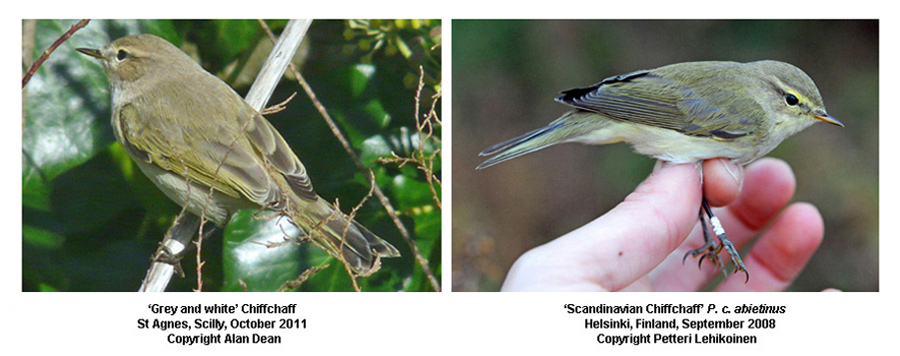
x=212 y=153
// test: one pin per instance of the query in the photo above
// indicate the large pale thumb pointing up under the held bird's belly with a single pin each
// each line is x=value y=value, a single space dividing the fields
x=624 y=244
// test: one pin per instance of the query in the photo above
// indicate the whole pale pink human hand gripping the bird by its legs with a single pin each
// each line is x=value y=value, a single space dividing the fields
x=639 y=244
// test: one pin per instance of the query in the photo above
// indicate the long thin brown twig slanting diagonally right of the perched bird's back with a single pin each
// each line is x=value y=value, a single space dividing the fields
x=353 y=156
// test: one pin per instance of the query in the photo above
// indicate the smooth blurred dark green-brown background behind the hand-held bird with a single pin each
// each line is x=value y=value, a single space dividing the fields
x=506 y=74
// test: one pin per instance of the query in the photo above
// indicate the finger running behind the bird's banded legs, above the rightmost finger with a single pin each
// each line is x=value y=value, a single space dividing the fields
x=767 y=186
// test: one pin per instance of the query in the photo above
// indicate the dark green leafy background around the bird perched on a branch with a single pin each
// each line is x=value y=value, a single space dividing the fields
x=91 y=220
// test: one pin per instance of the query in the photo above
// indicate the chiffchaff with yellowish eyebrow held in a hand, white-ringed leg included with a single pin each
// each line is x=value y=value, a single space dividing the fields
x=685 y=112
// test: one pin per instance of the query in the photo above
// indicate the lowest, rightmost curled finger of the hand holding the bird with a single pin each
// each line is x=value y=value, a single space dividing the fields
x=780 y=254
